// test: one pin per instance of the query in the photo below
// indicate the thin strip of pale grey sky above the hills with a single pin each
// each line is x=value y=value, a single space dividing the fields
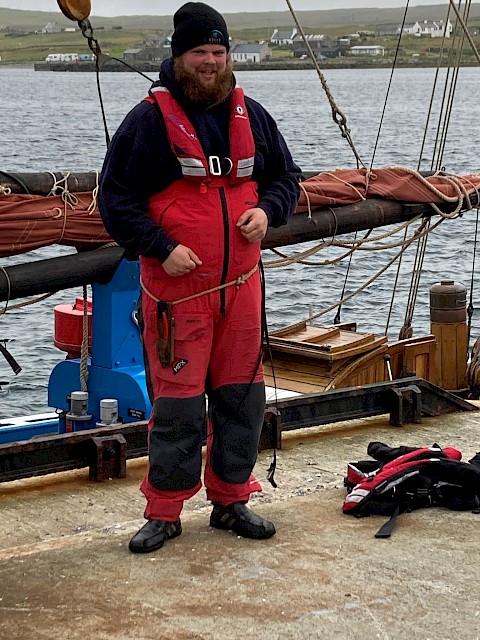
x=168 y=7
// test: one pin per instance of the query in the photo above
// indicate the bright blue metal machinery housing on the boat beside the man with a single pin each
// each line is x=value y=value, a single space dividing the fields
x=115 y=368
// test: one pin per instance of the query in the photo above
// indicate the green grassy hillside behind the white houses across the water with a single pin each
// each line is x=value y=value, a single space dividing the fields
x=21 y=39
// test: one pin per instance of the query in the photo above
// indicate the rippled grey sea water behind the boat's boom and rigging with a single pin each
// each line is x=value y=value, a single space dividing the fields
x=53 y=122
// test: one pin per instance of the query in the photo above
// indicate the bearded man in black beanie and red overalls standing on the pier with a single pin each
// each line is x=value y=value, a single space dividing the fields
x=191 y=181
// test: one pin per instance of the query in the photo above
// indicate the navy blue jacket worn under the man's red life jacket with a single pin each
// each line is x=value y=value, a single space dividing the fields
x=140 y=163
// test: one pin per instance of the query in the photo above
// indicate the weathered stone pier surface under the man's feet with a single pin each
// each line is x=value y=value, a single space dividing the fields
x=66 y=572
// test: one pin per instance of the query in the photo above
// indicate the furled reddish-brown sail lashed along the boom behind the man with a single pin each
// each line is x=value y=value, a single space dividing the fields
x=29 y=222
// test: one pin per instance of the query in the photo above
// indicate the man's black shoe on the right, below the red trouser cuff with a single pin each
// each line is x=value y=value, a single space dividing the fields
x=241 y=520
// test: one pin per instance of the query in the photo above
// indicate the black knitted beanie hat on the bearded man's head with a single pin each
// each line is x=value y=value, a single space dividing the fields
x=195 y=24
